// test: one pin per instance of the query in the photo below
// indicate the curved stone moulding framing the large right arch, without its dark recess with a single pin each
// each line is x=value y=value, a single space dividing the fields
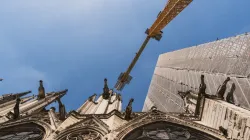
x=152 y=118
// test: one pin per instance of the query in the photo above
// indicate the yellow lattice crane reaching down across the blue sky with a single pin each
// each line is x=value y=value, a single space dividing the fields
x=171 y=10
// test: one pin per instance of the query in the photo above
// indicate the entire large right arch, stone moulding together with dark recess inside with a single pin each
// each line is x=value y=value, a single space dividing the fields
x=164 y=124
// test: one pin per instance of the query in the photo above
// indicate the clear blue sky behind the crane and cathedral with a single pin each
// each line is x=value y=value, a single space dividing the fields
x=76 y=44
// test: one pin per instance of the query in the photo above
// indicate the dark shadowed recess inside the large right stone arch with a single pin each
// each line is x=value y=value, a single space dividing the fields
x=163 y=130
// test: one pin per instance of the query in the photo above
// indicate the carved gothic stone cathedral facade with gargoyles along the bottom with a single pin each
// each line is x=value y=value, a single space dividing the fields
x=101 y=118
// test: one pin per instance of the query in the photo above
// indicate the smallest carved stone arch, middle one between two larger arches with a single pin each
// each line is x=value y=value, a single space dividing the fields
x=84 y=130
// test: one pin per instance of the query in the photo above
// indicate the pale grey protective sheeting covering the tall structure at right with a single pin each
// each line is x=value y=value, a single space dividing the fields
x=181 y=70
